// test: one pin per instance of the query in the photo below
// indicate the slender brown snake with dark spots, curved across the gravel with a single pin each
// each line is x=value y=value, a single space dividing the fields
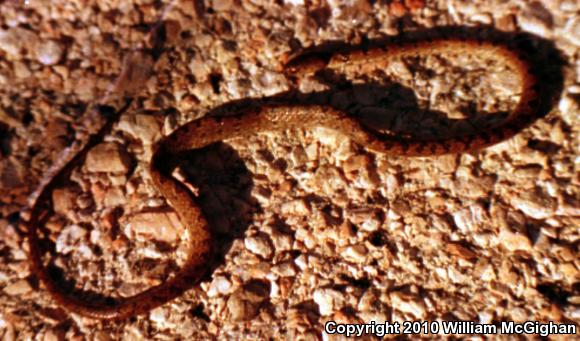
x=207 y=130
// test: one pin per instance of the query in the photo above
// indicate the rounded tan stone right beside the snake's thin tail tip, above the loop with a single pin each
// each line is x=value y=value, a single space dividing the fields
x=108 y=157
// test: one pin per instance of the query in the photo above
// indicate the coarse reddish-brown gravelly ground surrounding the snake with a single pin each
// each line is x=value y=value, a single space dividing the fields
x=310 y=226
